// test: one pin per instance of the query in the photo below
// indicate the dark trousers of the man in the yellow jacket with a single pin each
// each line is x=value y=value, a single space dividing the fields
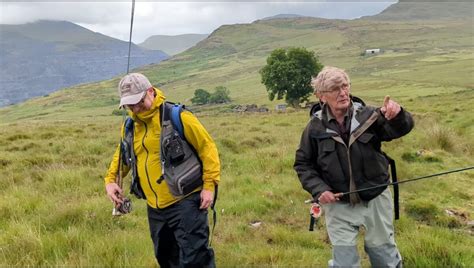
x=180 y=234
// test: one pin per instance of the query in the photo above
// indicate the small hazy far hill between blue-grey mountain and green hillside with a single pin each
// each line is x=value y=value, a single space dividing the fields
x=172 y=44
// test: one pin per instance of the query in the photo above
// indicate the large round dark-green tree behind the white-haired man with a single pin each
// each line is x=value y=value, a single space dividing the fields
x=288 y=74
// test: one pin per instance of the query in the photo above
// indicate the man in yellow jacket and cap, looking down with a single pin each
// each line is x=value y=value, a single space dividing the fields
x=178 y=225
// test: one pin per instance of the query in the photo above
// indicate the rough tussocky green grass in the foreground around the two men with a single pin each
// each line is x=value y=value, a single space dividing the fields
x=54 y=210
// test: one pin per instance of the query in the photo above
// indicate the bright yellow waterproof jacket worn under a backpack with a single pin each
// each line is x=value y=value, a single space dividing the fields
x=146 y=144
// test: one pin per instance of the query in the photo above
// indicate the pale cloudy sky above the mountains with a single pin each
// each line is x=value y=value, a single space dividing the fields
x=171 y=18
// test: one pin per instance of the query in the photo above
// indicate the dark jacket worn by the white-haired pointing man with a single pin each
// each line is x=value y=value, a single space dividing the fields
x=325 y=163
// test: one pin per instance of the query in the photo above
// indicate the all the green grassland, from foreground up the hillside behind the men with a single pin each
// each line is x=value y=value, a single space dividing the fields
x=56 y=149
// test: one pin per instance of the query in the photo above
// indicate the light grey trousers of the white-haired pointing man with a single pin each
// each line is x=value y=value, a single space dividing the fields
x=343 y=222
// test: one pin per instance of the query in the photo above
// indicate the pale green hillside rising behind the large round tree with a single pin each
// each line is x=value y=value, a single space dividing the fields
x=422 y=54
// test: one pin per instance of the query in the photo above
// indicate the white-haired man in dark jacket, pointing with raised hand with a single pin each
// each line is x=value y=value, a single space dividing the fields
x=340 y=151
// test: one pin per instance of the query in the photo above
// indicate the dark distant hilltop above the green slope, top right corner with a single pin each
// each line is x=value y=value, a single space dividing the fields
x=427 y=10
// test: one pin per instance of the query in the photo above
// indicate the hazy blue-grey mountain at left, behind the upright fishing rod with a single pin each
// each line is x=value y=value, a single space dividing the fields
x=41 y=57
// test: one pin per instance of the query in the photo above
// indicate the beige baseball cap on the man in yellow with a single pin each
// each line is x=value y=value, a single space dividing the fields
x=132 y=88
